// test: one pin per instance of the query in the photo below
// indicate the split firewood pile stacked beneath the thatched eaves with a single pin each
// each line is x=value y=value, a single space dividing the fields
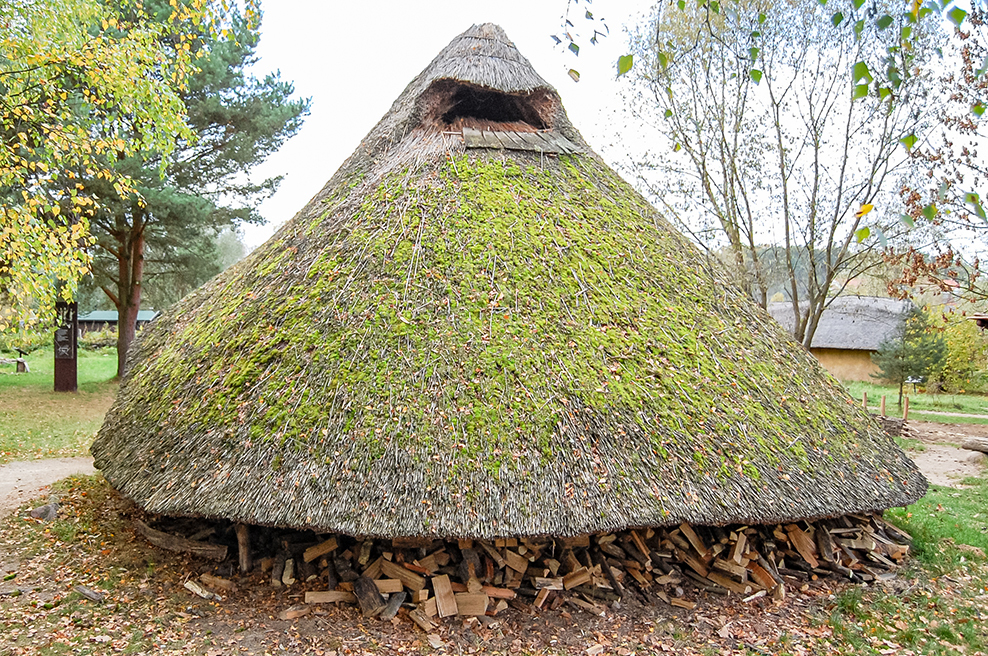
x=434 y=579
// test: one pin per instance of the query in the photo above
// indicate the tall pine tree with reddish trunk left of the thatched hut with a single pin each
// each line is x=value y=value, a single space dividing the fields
x=168 y=235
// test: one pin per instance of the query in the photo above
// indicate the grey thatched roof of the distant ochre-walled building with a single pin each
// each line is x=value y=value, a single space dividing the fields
x=852 y=322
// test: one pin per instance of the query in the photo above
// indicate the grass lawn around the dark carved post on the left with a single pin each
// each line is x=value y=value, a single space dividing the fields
x=36 y=422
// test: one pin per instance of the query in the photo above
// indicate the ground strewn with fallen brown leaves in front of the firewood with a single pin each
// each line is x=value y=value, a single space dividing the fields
x=147 y=609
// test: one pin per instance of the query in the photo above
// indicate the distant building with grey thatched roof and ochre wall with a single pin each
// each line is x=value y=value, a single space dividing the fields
x=850 y=330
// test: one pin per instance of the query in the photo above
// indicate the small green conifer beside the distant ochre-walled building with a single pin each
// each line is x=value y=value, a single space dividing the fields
x=914 y=351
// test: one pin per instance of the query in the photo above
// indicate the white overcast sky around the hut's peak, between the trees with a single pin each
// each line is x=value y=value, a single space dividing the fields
x=355 y=58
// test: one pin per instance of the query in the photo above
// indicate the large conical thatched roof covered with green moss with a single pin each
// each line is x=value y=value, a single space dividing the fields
x=483 y=342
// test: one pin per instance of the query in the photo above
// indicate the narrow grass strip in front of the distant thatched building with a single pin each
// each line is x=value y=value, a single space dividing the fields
x=921 y=405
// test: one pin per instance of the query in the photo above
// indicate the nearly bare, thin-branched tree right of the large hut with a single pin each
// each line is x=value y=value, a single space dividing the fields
x=782 y=132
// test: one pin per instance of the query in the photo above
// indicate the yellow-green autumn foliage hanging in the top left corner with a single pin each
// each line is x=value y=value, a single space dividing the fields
x=69 y=69
